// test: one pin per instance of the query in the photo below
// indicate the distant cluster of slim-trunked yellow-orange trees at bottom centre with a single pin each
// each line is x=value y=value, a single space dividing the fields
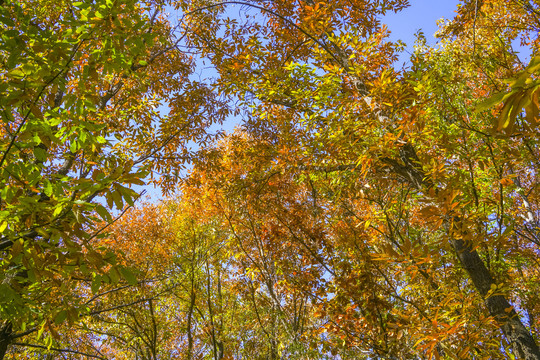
x=192 y=299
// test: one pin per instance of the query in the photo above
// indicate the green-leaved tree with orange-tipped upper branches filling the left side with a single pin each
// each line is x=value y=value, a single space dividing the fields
x=81 y=82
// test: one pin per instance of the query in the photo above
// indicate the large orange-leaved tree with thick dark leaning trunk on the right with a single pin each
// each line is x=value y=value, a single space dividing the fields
x=330 y=103
